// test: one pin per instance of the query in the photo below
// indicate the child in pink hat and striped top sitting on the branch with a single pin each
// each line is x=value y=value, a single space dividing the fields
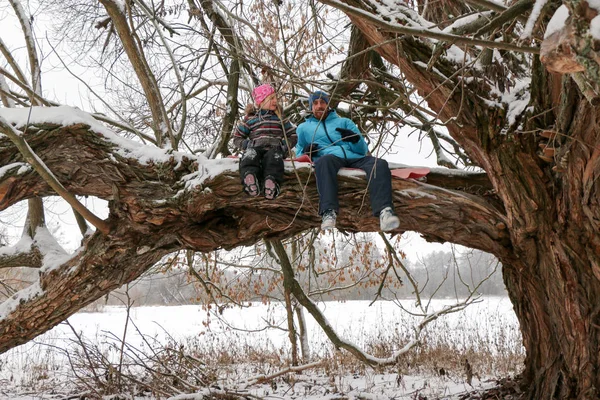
x=261 y=135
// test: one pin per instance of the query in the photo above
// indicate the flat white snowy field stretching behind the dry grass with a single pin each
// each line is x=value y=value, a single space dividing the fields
x=490 y=323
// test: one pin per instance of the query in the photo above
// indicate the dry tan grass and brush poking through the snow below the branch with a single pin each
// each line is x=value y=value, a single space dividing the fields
x=105 y=366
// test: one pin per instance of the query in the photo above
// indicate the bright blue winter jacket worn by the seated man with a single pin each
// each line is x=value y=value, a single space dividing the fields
x=329 y=140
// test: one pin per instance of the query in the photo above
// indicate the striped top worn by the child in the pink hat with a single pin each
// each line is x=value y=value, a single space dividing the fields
x=263 y=128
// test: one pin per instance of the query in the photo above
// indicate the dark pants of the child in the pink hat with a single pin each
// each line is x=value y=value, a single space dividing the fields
x=263 y=162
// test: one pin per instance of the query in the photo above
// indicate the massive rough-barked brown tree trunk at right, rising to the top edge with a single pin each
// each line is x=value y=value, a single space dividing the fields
x=530 y=122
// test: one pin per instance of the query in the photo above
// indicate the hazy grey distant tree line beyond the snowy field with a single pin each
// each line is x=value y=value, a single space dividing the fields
x=440 y=274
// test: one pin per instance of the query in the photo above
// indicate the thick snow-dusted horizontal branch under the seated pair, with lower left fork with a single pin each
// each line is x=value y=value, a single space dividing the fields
x=186 y=202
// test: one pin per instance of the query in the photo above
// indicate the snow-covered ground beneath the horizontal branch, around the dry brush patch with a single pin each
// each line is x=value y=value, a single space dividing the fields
x=490 y=323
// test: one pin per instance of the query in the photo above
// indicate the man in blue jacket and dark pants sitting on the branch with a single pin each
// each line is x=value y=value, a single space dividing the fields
x=334 y=142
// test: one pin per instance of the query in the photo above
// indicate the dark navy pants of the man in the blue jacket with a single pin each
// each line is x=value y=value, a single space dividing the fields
x=379 y=181
